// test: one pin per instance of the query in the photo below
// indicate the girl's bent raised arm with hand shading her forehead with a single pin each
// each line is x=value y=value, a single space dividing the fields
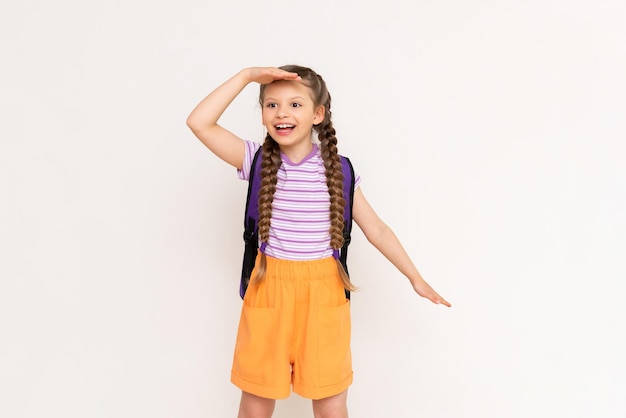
x=203 y=119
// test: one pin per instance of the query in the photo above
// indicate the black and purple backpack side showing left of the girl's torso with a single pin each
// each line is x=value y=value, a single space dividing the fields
x=251 y=217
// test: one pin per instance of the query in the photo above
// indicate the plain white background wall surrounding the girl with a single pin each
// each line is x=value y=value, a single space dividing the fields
x=489 y=135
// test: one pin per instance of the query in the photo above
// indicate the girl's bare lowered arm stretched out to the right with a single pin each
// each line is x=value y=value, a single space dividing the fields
x=384 y=239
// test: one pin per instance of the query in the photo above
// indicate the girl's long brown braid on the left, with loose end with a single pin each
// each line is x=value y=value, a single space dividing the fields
x=270 y=162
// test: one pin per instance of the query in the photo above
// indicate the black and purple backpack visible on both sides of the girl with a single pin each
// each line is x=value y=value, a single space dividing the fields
x=251 y=217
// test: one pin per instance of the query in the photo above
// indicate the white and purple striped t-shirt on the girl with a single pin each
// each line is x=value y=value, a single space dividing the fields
x=300 y=211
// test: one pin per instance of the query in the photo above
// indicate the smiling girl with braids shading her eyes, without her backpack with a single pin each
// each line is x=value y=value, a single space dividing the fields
x=295 y=323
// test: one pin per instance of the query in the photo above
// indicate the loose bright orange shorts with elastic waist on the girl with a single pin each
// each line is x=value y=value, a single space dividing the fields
x=294 y=330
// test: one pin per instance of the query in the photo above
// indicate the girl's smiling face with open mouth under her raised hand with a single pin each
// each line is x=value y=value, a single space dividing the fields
x=289 y=113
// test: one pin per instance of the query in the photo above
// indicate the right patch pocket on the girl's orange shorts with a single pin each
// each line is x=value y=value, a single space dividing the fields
x=335 y=358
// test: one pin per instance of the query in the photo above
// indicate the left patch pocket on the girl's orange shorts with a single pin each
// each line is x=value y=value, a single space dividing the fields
x=254 y=358
